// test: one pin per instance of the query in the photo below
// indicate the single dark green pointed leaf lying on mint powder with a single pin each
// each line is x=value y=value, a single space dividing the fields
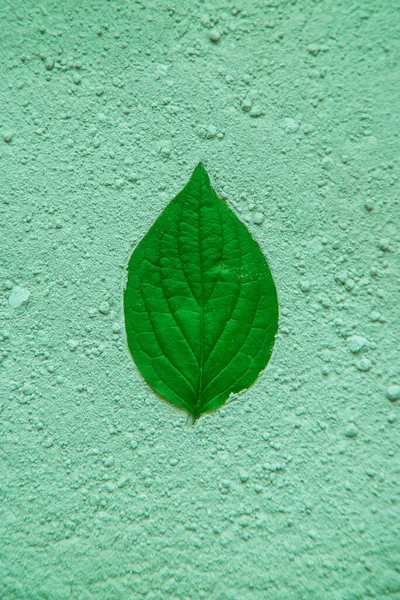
x=201 y=310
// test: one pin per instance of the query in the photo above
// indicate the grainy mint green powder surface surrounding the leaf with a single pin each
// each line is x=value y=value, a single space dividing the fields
x=289 y=491
